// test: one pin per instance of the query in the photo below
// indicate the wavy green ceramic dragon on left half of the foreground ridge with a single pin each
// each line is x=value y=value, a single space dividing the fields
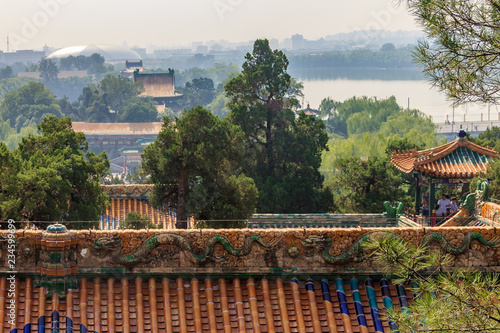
x=114 y=246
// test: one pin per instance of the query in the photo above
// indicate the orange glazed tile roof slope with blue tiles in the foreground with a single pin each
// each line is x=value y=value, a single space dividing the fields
x=210 y=305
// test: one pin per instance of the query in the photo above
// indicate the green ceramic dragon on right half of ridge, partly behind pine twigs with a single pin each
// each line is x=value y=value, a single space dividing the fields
x=358 y=247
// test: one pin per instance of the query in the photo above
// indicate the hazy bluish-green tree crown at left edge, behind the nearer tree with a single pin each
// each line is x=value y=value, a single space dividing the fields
x=29 y=104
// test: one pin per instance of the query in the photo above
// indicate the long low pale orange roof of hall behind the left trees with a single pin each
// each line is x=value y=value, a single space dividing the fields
x=117 y=128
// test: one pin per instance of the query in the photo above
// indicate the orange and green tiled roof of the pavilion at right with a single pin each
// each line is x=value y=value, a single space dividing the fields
x=457 y=159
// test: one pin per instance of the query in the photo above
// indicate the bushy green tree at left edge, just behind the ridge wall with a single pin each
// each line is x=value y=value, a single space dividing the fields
x=56 y=178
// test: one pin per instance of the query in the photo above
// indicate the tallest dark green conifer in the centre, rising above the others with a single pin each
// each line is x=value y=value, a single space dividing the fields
x=283 y=154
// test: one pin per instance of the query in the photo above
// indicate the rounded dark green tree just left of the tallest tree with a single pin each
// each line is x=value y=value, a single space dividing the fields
x=195 y=162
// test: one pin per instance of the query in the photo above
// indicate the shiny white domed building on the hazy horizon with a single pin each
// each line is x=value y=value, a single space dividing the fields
x=109 y=52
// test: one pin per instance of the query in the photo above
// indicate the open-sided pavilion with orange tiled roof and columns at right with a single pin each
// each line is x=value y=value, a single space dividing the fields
x=449 y=166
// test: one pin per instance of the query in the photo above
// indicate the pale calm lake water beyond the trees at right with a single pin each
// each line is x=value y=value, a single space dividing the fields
x=407 y=85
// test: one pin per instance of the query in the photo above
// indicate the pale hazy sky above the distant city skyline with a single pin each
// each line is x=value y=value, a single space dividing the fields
x=169 y=23
